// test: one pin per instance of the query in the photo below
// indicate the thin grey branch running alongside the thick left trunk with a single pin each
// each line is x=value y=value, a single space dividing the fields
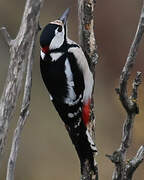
x=21 y=121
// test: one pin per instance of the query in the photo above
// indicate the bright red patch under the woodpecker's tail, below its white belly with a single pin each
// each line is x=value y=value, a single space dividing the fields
x=86 y=112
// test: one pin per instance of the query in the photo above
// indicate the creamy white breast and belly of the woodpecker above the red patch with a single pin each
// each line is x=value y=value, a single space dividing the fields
x=88 y=77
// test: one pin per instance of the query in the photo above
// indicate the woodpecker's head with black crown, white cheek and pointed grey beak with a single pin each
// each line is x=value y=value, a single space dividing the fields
x=54 y=34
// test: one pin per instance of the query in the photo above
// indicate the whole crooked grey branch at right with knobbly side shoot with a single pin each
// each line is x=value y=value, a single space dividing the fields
x=124 y=170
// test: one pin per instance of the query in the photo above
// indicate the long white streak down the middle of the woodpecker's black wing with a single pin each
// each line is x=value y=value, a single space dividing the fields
x=70 y=84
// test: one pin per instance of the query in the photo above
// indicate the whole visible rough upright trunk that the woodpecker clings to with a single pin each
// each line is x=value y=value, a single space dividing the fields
x=88 y=44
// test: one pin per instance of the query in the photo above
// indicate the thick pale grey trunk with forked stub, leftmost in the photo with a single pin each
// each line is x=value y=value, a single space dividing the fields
x=21 y=49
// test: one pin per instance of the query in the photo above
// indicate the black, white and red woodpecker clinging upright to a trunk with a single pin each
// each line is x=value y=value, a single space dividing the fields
x=66 y=75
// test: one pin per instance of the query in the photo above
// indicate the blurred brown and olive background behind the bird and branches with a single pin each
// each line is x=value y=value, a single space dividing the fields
x=46 y=151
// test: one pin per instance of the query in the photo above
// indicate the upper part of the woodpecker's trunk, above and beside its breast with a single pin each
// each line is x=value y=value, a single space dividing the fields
x=86 y=30
